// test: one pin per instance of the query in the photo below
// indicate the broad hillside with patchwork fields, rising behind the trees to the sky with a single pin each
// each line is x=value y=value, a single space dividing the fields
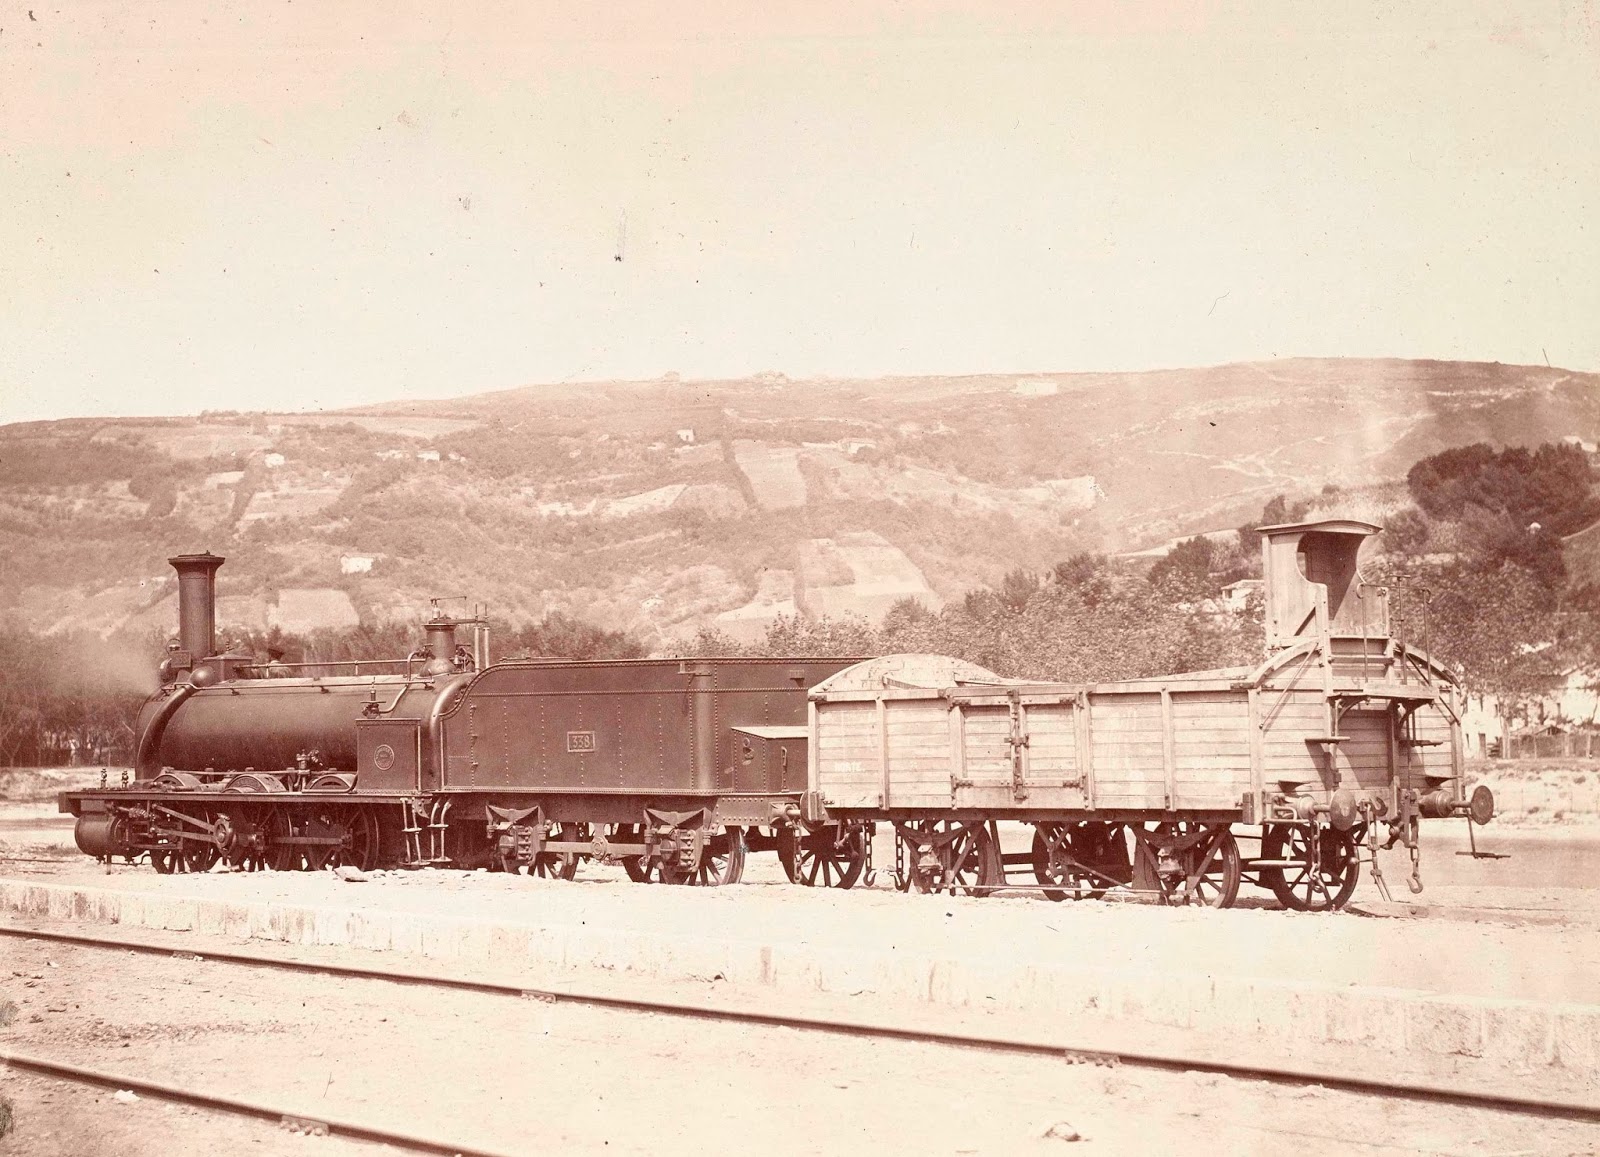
x=671 y=505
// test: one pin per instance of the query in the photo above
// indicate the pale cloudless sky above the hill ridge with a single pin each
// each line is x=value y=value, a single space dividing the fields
x=295 y=206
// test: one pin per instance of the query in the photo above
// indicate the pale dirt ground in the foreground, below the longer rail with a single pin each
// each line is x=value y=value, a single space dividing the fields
x=524 y=1078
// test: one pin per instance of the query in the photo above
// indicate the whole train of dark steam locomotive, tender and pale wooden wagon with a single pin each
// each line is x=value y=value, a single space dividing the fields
x=679 y=769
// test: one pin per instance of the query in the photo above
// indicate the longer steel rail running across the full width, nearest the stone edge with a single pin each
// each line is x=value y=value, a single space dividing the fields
x=1271 y=1070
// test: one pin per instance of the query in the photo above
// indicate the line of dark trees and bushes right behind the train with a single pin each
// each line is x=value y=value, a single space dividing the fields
x=1474 y=564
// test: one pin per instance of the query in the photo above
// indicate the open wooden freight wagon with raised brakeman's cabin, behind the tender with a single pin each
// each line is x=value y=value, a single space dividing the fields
x=1338 y=743
